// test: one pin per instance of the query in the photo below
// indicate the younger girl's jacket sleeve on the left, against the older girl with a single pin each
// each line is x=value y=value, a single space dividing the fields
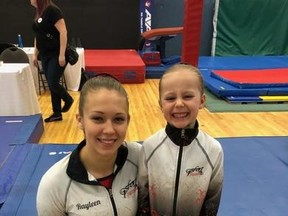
x=143 y=186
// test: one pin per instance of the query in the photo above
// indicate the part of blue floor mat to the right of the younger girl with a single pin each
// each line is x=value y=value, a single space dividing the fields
x=255 y=176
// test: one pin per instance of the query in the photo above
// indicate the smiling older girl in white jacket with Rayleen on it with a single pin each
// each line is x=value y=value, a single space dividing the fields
x=100 y=176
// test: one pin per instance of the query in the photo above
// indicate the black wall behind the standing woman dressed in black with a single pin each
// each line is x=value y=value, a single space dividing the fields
x=101 y=24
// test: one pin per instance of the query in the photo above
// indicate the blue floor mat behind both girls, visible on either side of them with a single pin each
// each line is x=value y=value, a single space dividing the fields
x=255 y=177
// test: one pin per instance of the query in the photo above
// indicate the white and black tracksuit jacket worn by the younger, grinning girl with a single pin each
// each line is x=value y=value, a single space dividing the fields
x=184 y=178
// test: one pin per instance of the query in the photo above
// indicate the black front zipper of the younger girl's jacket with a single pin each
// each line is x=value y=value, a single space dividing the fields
x=178 y=175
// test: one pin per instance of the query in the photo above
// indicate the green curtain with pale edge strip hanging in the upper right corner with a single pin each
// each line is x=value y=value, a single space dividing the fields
x=252 y=28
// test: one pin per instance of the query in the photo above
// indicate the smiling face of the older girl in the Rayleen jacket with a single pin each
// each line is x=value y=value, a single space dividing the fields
x=105 y=121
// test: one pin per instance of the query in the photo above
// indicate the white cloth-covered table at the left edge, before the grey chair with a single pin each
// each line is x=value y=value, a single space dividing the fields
x=18 y=96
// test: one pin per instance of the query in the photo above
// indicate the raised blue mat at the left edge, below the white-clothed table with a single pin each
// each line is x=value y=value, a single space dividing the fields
x=16 y=131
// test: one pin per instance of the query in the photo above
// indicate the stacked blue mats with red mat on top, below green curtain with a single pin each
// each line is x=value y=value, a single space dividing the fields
x=245 y=79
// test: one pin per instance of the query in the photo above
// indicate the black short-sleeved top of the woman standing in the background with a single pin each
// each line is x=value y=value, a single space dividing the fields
x=47 y=36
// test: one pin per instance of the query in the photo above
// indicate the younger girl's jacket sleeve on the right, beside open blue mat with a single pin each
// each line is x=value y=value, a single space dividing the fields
x=213 y=196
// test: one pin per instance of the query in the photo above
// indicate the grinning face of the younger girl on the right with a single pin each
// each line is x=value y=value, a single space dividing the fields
x=181 y=98
